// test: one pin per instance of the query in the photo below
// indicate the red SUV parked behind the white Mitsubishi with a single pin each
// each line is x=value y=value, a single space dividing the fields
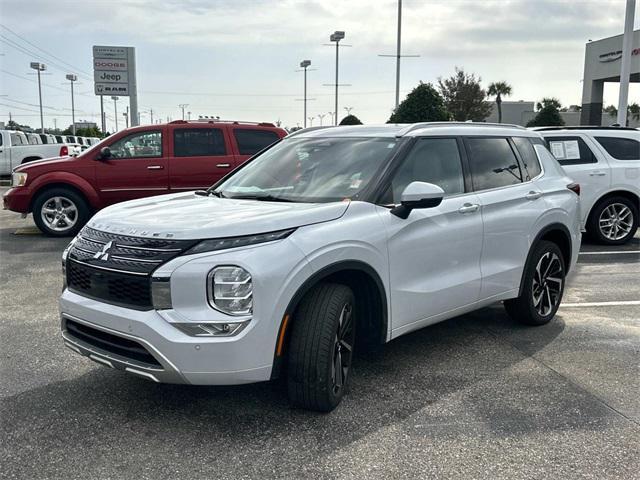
x=138 y=162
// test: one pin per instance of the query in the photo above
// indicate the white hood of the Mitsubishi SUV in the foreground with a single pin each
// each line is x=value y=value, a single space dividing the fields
x=190 y=216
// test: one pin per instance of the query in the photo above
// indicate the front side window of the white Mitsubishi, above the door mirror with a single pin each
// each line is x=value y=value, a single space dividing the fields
x=432 y=160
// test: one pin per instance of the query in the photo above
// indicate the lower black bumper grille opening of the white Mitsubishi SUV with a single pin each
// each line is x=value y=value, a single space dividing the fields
x=108 y=342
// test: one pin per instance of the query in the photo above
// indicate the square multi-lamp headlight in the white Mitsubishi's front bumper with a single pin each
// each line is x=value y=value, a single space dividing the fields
x=230 y=290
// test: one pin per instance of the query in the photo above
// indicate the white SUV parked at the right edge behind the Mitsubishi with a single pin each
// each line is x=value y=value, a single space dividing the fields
x=606 y=163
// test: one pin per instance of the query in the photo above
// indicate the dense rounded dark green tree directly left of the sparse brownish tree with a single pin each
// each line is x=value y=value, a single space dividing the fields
x=423 y=104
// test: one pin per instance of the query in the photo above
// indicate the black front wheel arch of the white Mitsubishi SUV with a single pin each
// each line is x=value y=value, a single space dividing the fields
x=371 y=298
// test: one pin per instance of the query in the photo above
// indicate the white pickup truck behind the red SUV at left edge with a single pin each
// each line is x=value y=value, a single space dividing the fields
x=16 y=150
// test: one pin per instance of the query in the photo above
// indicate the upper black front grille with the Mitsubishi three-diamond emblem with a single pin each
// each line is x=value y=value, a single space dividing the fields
x=116 y=268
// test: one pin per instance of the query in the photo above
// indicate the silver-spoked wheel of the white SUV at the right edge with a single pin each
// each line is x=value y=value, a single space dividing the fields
x=614 y=221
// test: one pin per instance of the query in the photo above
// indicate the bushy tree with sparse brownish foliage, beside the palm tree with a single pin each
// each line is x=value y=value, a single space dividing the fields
x=464 y=97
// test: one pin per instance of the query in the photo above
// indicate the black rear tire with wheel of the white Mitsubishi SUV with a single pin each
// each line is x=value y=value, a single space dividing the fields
x=526 y=308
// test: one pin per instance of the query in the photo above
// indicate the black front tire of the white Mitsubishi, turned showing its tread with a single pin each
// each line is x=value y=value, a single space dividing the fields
x=312 y=352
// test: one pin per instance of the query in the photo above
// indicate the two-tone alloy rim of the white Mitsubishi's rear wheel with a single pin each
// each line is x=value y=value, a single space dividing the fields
x=547 y=283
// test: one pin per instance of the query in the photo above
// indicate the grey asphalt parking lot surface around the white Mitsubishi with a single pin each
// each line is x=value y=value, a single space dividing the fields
x=474 y=397
